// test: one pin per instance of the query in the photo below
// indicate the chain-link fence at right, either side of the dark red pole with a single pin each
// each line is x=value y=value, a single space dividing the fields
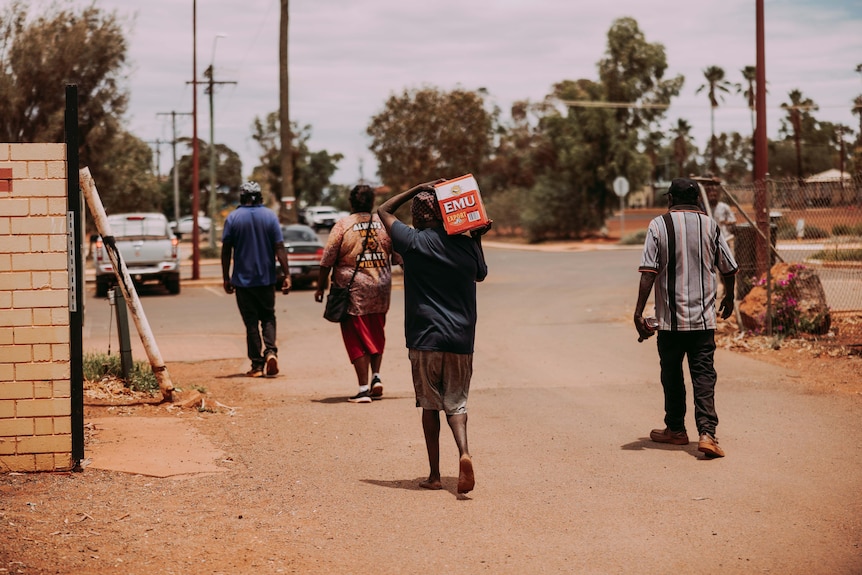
x=816 y=223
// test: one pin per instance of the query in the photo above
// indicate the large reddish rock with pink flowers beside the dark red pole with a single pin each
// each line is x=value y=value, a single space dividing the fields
x=798 y=302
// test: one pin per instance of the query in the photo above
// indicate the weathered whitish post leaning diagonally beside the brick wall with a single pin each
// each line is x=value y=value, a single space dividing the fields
x=124 y=281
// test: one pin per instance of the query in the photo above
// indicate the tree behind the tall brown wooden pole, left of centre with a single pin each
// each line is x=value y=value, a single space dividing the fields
x=311 y=171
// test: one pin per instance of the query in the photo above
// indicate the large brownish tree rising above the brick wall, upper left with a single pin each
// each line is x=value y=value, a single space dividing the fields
x=38 y=55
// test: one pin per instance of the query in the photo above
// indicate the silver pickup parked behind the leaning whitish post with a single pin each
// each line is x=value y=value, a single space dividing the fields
x=146 y=245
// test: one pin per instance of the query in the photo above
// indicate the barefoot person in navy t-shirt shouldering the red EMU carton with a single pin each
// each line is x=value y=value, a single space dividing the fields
x=440 y=275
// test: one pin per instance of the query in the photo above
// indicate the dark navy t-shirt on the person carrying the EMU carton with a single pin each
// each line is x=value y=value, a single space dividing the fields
x=440 y=275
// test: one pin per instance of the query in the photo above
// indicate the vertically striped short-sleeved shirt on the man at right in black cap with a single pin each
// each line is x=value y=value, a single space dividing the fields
x=683 y=248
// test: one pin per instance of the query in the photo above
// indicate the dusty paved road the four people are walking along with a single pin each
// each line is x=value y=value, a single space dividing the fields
x=561 y=407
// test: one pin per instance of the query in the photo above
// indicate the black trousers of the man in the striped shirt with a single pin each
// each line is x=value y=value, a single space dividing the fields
x=699 y=348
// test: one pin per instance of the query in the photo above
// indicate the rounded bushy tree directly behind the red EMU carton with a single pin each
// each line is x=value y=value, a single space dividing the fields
x=427 y=133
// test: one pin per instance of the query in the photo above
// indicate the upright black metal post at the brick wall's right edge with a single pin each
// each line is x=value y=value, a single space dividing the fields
x=74 y=219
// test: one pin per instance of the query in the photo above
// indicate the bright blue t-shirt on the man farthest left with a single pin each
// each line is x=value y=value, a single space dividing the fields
x=253 y=231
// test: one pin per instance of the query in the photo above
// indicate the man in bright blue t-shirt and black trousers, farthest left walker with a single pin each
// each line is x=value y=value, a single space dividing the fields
x=252 y=234
